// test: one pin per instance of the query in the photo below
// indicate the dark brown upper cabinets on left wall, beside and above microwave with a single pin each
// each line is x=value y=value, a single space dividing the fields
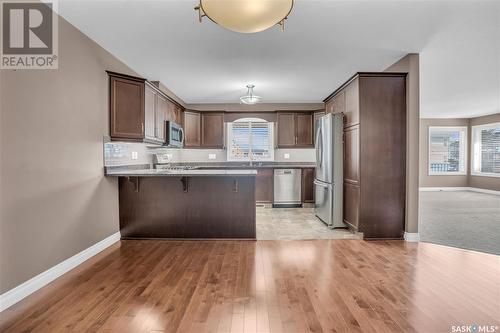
x=138 y=110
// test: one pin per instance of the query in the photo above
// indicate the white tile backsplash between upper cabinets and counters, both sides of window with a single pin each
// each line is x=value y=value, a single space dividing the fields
x=127 y=153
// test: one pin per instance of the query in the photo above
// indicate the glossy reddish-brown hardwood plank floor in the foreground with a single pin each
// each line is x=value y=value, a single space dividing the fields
x=267 y=286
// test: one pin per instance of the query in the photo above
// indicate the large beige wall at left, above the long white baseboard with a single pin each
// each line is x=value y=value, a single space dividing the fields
x=55 y=201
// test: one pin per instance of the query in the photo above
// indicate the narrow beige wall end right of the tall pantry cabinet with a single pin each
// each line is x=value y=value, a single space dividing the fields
x=410 y=64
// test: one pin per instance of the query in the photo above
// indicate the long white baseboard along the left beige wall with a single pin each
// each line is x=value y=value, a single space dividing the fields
x=16 y=294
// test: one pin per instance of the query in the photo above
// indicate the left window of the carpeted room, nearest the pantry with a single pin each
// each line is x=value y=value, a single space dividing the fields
x=447 y=150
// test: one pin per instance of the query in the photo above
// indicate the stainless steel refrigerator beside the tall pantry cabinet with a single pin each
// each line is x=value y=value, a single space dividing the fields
x=328 y=180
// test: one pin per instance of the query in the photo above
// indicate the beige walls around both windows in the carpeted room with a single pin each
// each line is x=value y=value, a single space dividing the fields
x=468 y=180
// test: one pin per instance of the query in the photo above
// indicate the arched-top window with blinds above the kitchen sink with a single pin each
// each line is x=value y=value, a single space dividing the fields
x=250 y=139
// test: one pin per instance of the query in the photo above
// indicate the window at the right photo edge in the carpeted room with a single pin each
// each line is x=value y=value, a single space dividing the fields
x=486 y=150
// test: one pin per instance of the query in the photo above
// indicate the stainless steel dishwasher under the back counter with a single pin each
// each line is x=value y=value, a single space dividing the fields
x=287 y=188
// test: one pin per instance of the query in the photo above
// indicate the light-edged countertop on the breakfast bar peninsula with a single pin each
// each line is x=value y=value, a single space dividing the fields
x=179 y=173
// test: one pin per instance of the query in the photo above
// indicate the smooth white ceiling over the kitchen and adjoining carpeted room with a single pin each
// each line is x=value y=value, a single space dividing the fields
x=325 y=42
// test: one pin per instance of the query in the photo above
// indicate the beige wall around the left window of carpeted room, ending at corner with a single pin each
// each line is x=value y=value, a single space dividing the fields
x=437 y=181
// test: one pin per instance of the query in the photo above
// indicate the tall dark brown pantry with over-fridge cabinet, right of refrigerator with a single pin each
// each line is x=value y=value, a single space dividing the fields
x=374 y=152
